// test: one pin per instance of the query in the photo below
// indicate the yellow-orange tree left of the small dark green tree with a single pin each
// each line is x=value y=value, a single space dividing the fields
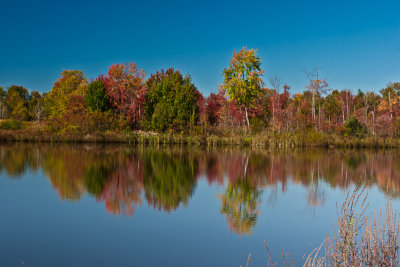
x=72 y=82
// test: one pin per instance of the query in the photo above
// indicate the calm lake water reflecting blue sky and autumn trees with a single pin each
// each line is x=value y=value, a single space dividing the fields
x=86 y=205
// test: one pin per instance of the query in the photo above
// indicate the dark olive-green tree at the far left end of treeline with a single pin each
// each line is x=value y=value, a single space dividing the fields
x=17 y=98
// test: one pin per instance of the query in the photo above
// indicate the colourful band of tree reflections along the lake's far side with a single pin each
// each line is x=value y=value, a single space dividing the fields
x=123 y=177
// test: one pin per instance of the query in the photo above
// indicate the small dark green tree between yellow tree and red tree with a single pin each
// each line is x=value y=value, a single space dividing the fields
x=96 y=96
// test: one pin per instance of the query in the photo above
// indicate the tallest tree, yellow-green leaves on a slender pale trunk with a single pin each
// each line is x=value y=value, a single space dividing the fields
x=242 y=79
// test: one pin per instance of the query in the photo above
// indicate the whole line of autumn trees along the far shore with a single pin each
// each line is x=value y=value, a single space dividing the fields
x=168 y=101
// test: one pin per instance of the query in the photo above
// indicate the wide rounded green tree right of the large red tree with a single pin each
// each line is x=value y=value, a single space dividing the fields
x=171 y=101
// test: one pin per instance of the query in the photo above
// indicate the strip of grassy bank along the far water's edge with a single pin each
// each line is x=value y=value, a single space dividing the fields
x=31 y=133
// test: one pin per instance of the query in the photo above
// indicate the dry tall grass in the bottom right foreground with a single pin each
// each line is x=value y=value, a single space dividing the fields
x=358 y=240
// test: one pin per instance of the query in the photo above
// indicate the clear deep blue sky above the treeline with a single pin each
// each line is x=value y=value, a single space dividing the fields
x=356 y=44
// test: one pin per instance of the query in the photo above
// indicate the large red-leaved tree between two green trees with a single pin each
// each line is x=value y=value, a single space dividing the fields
x=126 y=89
